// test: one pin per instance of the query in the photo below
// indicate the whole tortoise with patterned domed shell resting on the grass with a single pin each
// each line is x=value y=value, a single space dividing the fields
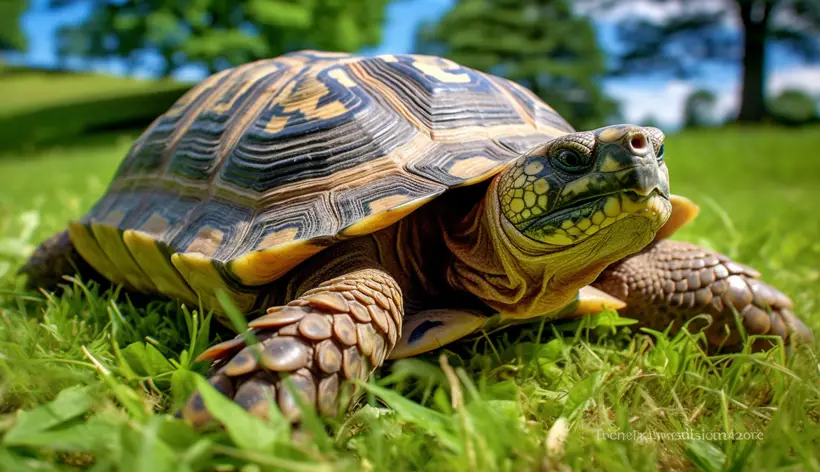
x=368 y=208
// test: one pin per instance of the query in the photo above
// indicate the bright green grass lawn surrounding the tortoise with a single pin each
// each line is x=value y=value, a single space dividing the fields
x=112 y=372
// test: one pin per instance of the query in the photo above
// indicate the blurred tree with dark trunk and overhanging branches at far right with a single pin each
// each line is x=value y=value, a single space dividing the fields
x=698 y=33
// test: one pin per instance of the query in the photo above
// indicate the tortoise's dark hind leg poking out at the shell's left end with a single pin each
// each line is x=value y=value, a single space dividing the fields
x=54 y=258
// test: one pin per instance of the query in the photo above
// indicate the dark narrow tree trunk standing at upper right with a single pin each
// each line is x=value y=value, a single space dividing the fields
x=755 y=17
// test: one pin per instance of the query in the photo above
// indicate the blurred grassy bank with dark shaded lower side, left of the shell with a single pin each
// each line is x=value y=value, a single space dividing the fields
x=47 y=107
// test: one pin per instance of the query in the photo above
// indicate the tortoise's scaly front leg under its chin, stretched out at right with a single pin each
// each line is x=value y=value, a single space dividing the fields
x=672 y=281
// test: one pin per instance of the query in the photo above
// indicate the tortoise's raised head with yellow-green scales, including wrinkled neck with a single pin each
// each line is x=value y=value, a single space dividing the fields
x=564 y=211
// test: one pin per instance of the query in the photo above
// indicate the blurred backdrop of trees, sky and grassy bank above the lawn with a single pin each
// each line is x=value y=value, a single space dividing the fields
x=69 y=66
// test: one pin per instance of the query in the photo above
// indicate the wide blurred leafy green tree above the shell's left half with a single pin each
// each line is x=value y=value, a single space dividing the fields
x=220 y=33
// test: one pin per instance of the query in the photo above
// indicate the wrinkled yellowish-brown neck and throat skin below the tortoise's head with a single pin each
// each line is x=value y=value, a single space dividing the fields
x=523 y=278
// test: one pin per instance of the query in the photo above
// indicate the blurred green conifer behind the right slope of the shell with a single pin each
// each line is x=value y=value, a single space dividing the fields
x=540 y=44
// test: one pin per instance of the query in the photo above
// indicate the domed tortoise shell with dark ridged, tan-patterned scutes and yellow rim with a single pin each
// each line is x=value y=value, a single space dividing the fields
x=261 y=166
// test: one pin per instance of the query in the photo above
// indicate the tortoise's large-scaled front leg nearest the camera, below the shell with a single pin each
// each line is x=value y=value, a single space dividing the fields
x=341 y=330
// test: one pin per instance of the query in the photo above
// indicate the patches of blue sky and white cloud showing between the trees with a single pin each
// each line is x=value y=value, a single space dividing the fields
x=640 y=96
